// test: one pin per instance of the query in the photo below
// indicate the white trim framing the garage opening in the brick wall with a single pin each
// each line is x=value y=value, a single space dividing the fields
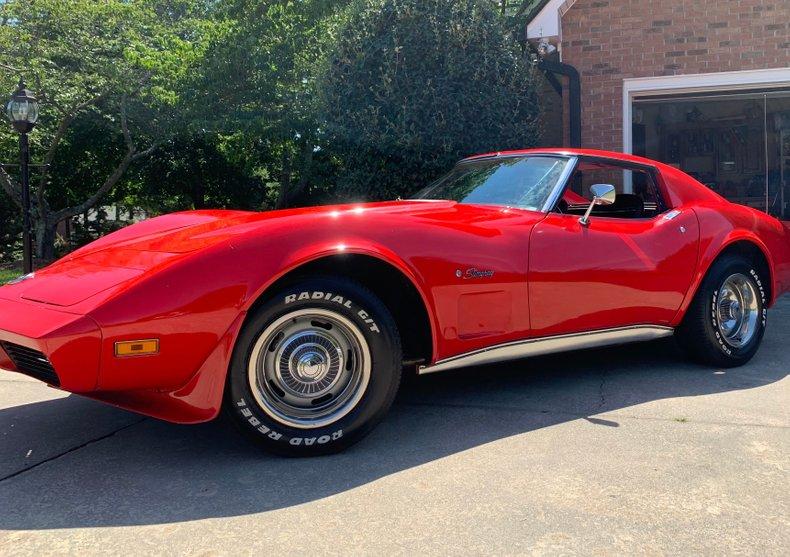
x=695 y=83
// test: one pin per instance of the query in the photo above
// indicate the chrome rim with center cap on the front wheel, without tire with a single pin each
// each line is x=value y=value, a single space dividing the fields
x=309 y=368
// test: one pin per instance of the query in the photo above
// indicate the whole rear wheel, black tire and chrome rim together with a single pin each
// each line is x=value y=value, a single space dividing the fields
x=725 y=322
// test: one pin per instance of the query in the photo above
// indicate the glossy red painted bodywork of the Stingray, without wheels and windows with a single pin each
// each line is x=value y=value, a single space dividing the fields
x=188 y=279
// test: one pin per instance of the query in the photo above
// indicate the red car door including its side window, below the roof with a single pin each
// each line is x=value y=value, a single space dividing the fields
x=629 y=265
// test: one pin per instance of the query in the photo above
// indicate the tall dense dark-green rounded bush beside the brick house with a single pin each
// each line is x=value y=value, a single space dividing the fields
x=413 y=85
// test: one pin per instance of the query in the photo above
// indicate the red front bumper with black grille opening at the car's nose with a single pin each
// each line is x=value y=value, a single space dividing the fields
x=34 y=338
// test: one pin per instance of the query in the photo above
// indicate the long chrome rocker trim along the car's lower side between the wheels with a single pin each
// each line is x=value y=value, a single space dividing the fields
x=550 y=345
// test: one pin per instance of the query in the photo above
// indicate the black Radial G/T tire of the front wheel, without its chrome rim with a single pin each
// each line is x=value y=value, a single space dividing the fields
x=375 y=323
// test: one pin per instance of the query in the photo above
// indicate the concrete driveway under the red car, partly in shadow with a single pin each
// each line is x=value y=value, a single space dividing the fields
x=616 y=451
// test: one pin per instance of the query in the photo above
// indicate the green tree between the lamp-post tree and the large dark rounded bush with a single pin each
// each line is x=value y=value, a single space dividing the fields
x=258 y=79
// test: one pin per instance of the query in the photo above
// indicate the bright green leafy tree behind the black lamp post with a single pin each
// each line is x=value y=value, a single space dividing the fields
x=117 y=64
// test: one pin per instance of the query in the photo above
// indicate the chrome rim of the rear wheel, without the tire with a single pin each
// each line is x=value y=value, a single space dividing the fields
x=737 y=310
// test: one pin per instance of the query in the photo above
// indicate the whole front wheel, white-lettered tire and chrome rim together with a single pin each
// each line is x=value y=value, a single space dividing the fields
x=315 y=368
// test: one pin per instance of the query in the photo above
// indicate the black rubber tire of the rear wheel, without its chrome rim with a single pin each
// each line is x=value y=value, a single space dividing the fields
x=722 y=270
